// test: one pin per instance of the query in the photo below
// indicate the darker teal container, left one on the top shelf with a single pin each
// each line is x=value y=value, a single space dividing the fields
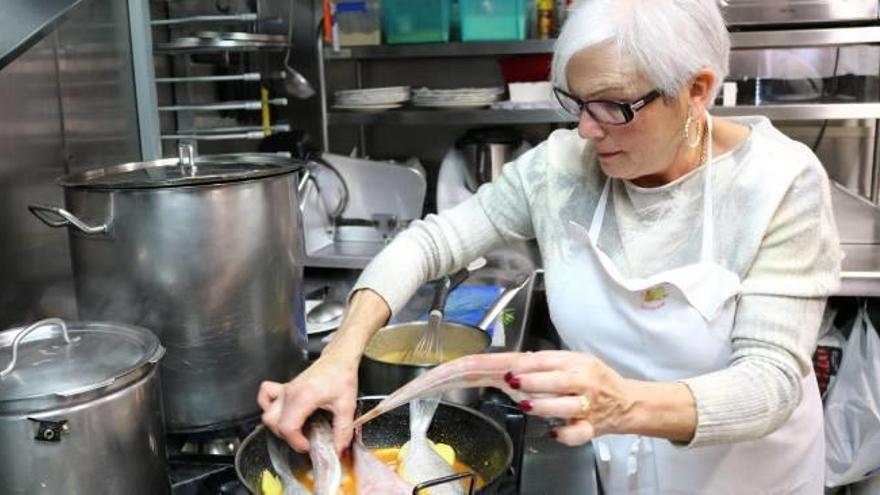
x=416 y=21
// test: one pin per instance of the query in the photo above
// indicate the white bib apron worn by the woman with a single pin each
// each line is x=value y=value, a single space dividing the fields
x=670 y=326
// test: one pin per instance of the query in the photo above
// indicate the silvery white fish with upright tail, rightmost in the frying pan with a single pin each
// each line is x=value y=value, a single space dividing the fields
x=420 y=461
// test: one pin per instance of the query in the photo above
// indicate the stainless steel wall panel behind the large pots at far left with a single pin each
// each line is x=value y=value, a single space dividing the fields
x=68 y=103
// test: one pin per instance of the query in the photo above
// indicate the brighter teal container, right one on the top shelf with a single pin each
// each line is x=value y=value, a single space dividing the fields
x=492 y=20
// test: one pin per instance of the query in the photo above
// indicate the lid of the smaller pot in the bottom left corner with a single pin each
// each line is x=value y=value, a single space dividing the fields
x=47 y=366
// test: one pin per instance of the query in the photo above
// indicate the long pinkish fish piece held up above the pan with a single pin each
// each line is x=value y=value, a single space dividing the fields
x=472 y=371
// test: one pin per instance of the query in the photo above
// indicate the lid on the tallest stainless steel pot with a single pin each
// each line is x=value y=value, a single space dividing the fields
x=184 y=171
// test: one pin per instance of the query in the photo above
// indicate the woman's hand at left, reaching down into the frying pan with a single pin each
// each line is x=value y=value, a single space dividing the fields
x=330 y=384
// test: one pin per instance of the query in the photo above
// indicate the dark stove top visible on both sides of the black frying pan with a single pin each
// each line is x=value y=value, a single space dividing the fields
x=204 y=463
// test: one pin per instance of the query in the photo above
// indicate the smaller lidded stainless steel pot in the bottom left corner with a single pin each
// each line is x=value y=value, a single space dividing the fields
x=81 y=410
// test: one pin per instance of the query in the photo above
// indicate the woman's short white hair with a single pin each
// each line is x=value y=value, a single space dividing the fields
x=669 y=41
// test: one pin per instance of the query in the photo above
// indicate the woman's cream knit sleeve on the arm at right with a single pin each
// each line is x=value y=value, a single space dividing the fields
x=777 y=319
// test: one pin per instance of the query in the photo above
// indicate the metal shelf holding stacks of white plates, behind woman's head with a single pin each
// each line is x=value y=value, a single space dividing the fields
x=413 y=116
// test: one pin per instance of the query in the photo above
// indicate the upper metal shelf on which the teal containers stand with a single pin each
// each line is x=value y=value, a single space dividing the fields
x=789 y=38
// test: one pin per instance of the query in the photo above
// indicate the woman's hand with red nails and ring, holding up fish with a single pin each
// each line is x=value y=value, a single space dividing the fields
x=574 y=386
